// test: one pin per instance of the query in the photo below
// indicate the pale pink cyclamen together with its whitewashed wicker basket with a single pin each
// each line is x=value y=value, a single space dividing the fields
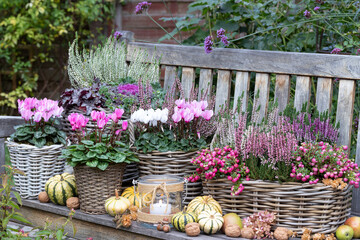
x=36 y=146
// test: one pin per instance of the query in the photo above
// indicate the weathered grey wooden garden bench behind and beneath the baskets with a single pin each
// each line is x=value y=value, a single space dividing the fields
x=234 y=69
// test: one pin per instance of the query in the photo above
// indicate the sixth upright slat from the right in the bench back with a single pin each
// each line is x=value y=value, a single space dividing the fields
x=242 y=84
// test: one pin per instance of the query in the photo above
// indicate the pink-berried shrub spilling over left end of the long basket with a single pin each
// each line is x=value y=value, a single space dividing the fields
x=220 y=163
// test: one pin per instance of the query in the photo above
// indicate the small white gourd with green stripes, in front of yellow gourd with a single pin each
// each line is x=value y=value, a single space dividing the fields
x=210 y=221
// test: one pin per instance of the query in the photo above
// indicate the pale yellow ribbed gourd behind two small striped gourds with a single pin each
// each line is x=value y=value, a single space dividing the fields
x=203 y=203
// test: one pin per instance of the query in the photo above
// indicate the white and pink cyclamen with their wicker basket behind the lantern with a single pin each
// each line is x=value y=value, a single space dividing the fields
x=167 y=138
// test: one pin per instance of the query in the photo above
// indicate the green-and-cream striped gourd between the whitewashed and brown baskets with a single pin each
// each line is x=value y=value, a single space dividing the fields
x=60 y=188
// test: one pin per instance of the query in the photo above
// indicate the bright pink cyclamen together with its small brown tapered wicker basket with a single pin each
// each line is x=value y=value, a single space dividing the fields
x=99 y=157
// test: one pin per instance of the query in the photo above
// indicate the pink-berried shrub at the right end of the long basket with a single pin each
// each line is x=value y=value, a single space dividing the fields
x=316 y=161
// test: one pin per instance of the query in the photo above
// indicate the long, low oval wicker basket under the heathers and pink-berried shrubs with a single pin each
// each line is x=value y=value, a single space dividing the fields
x=318 y=207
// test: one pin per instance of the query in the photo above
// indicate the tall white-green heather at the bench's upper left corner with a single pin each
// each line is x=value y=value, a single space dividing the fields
x=108 y=63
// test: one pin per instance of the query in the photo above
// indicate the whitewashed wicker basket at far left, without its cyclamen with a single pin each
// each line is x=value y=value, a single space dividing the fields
x=39 y=164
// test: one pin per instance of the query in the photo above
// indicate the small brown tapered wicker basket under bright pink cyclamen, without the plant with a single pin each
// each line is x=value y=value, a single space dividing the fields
x=94 y=186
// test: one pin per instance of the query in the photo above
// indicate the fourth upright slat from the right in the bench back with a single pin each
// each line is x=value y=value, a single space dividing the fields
x=282 y=90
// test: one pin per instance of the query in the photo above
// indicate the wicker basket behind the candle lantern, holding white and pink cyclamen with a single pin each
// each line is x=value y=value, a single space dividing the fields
x=173 y=163
